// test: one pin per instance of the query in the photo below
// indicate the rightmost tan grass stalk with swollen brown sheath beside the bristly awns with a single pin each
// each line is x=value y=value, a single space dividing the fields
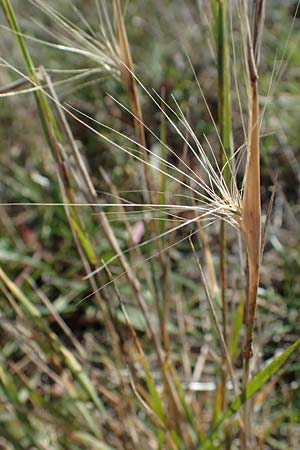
x=251 y=208
